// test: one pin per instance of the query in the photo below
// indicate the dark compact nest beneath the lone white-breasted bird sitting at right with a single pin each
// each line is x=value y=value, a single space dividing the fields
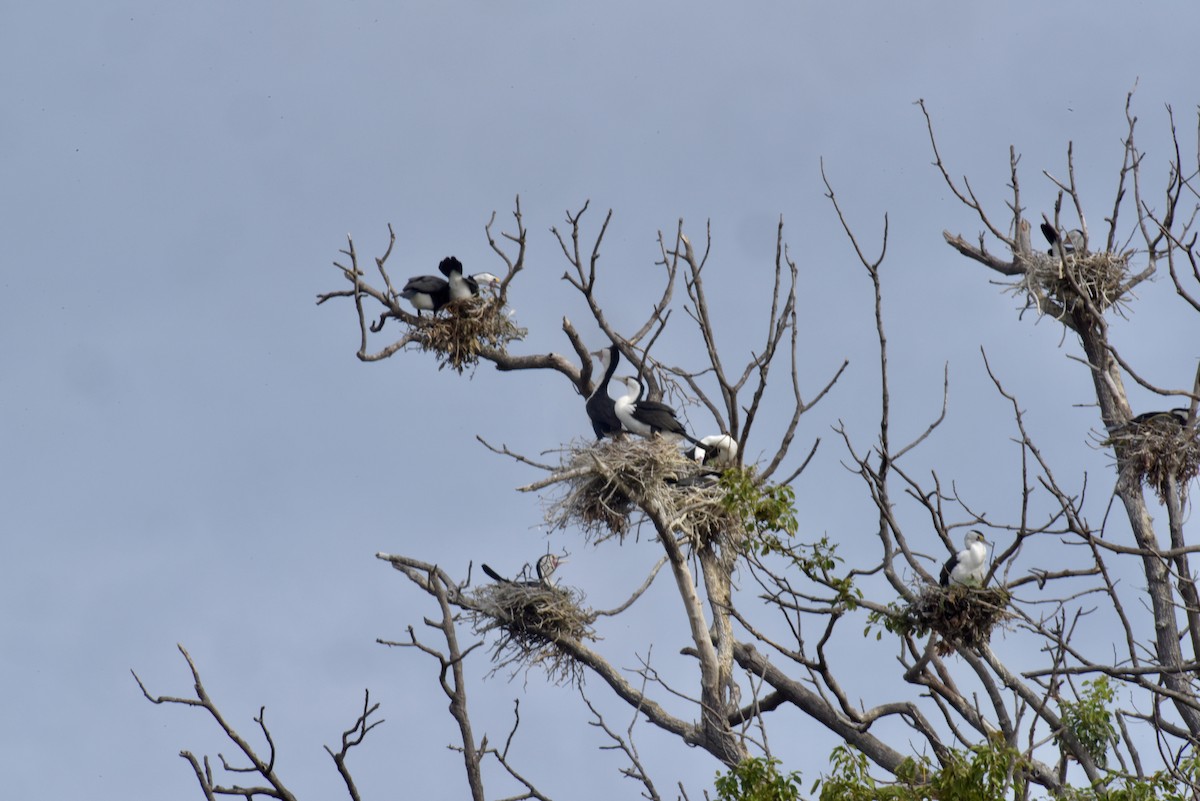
x=962 y=616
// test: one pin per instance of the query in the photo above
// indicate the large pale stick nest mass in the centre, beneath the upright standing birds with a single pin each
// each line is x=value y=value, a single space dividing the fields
x=605 y=485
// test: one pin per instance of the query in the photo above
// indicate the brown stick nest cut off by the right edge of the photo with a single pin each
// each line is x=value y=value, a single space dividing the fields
x=1157 y=450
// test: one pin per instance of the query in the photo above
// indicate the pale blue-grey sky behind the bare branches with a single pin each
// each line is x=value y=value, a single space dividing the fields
x=191 y=453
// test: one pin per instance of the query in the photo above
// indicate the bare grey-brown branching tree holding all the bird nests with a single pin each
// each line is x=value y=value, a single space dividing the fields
x=778 y=643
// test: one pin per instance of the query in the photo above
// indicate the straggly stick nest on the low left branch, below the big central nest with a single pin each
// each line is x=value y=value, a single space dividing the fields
x=531 y=621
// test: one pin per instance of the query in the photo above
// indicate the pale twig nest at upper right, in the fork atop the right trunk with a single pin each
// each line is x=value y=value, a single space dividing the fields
x=1097 y=278
